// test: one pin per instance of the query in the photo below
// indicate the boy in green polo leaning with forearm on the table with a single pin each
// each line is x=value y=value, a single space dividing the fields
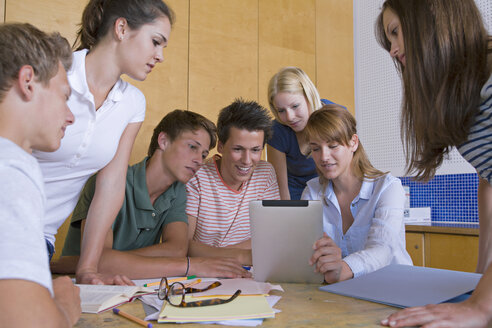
x=154 y=207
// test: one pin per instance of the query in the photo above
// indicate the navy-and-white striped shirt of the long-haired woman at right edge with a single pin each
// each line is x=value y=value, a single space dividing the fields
x=478 y=149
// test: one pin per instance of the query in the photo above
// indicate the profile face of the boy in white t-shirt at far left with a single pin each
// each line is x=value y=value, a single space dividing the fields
x=52 y=112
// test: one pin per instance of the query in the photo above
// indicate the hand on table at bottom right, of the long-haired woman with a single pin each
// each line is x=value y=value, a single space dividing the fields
x=465 y=314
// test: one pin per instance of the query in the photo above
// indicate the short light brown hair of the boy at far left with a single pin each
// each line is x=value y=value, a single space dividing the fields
x=24 y=44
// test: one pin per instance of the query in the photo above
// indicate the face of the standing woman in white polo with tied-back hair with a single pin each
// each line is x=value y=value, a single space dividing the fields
x=141 y=49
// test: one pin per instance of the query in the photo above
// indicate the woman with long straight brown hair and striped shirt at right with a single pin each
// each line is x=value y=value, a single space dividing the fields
x=444 y=56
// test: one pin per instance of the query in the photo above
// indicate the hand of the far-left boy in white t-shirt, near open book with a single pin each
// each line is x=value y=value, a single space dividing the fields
x=67 y=298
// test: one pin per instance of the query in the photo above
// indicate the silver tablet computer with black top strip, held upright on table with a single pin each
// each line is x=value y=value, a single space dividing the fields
x=282 y=236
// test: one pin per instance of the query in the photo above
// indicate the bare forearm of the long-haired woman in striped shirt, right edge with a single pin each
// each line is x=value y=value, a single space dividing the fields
x=485 y=227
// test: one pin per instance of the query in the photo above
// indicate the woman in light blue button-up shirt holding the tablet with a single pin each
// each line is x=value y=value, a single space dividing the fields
x=362 y=206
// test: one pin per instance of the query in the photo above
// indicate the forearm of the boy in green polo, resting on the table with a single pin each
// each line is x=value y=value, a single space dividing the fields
x=140 y=267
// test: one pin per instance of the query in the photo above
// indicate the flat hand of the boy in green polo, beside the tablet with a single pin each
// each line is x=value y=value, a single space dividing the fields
x=223 y=267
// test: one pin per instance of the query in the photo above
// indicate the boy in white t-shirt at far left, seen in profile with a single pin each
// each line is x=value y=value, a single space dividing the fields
x=33 y=115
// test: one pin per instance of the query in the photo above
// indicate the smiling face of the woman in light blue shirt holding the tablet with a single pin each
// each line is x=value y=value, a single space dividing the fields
x=333 y=159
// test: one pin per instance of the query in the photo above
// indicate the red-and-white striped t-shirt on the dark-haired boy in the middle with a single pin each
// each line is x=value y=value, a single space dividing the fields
x=223 y=213
